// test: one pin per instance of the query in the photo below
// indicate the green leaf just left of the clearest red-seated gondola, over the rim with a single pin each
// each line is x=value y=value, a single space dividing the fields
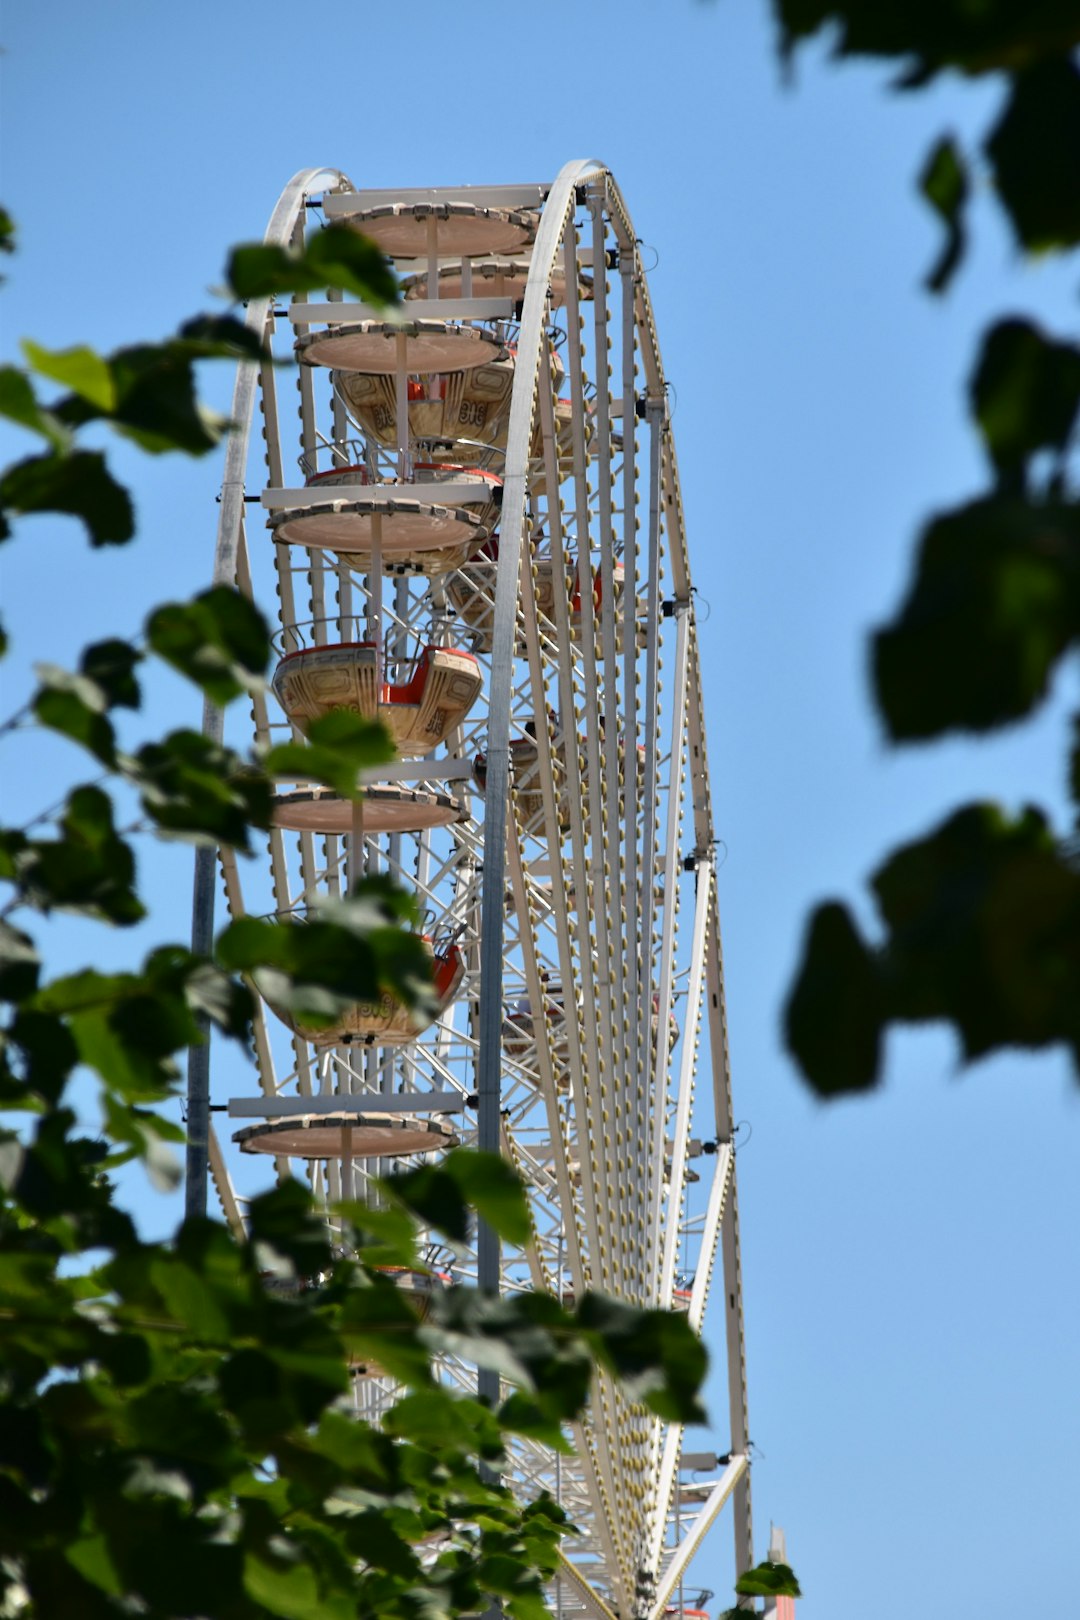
x=219 y=641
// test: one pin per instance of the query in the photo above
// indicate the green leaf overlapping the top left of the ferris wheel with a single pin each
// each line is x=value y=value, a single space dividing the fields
x=336 y=257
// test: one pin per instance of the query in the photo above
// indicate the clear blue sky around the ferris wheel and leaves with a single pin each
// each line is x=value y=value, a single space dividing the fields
x=911 y=1261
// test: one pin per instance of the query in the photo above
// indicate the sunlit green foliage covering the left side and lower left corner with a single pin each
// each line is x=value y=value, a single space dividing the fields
x=179 y=1433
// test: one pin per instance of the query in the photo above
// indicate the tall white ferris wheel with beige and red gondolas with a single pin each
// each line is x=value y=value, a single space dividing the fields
x=475 y=534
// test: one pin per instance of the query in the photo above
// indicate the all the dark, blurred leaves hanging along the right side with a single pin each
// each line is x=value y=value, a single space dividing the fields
x=982 y=916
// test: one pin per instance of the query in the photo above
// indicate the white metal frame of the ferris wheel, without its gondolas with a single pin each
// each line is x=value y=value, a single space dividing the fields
x=636 y=1558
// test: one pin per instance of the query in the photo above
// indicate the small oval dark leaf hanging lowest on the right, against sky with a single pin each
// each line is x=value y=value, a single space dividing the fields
x=836 y=1008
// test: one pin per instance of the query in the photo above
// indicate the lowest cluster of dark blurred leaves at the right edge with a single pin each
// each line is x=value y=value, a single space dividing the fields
x=982 y=931
